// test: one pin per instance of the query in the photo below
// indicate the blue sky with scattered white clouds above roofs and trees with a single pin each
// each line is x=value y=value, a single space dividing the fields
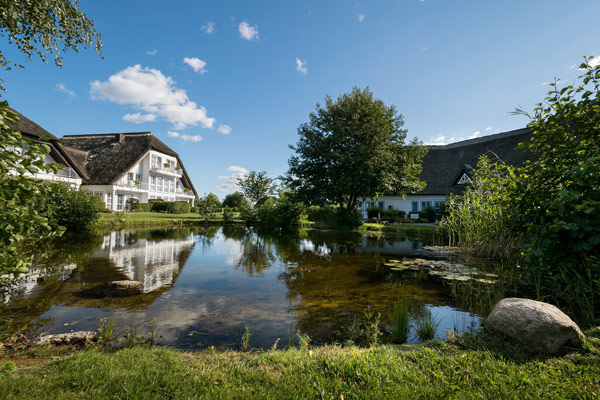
x=226 y=84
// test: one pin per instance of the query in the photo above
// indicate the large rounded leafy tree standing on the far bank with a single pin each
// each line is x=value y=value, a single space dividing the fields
x=353 y=148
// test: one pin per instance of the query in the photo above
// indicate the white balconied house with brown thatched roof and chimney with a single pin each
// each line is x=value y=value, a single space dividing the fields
x=119 y=166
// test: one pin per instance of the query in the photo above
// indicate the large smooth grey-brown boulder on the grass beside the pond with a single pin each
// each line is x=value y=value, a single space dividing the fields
x=541 y=326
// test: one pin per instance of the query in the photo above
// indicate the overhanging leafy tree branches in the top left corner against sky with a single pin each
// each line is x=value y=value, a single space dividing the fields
x=40 y=27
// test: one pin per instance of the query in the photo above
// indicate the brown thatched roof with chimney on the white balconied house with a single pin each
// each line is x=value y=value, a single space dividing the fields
x=107 y=157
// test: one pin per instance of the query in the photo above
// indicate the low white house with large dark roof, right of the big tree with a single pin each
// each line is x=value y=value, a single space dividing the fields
x=446 y=170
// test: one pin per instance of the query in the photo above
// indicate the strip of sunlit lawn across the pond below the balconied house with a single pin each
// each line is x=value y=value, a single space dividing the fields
x=130 y=219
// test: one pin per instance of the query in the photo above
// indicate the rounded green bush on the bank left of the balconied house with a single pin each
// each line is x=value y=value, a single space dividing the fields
x=68 y=207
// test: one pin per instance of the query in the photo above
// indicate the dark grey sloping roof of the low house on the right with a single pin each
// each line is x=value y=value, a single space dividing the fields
x=444 y=165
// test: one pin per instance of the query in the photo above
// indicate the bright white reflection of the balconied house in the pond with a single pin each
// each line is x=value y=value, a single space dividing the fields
x=155 y=263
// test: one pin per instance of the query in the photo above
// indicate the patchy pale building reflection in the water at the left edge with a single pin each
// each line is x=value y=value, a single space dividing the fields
x=28 y=283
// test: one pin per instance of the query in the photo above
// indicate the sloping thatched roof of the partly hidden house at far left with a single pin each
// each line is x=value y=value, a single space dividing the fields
x=33 y=131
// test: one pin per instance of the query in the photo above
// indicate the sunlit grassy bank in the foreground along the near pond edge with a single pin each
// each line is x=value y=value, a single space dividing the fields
x=474 y=368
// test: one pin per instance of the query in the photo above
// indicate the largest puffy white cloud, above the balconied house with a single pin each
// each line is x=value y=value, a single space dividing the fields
x=148 y=90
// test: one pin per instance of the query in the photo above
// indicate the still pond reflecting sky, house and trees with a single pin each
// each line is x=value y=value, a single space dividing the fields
x=202 y=284
